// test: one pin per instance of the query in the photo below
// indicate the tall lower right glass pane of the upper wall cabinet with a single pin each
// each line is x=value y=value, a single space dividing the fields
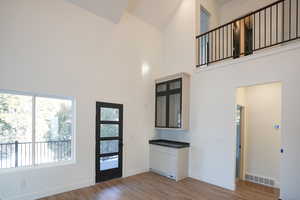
x=175 y=110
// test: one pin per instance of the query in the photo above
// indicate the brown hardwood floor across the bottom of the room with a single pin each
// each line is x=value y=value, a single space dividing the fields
x=149 y=186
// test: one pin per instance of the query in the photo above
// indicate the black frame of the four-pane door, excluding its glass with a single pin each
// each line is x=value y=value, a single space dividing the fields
x=110 y=173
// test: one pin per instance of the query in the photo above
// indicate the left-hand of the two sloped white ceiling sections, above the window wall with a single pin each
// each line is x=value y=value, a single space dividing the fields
x=109 y=9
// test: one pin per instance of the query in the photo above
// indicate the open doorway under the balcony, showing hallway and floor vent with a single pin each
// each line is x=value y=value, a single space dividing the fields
x=258 y=135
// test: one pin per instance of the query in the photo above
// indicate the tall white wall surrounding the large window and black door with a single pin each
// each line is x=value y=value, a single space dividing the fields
x=54 y=47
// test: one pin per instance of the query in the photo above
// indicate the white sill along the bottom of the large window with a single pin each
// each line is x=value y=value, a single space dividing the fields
x=37 y=167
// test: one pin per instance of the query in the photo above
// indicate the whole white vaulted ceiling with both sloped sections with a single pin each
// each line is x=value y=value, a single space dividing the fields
x=155 y=12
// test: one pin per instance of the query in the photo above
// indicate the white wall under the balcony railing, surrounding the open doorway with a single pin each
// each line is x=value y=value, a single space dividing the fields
x=212 y=132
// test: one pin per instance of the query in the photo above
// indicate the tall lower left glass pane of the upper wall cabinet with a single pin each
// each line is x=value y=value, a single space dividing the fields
x=161 y=111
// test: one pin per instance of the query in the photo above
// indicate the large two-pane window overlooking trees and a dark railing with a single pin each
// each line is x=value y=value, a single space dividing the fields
x=35 y=130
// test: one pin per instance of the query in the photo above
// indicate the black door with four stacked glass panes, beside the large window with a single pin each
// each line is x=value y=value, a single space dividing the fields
x=109 y=141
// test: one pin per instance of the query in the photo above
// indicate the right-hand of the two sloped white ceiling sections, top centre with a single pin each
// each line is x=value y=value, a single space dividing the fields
x=155 y=12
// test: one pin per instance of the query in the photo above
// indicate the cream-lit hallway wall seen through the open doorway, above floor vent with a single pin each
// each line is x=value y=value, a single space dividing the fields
x=262 y=104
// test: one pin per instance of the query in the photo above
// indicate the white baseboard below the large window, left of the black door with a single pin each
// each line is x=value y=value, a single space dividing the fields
x=54 y=191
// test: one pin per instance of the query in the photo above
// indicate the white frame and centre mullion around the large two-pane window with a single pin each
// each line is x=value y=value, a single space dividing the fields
x=73 y=140
